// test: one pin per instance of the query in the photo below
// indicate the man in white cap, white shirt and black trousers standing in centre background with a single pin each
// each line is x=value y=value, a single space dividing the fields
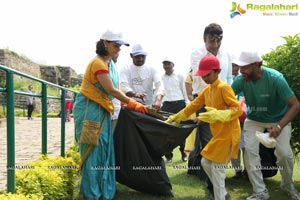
x=175 y=98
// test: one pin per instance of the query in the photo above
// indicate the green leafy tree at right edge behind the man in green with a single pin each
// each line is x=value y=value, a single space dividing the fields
x=286 y=59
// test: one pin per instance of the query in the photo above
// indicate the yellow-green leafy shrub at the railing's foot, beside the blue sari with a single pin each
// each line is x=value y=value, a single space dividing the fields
x=52 y=178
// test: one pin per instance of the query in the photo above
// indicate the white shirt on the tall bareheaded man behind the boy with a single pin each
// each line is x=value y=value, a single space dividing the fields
x=225 y=63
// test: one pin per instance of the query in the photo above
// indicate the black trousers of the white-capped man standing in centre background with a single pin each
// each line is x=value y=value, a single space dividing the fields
x=174 y=107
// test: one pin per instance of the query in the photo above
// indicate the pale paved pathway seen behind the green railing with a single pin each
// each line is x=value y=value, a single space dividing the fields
x=28 y=142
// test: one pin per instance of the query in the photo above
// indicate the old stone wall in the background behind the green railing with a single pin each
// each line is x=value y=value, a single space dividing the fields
x=59 y=75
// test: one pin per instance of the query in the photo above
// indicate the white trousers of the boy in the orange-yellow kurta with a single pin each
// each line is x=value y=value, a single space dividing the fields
x=216 y=174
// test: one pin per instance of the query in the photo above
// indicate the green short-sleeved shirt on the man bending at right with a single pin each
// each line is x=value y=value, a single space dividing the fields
x=266 y=97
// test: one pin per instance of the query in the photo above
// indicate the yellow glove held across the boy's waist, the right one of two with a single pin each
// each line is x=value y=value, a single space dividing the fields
x=212 y=115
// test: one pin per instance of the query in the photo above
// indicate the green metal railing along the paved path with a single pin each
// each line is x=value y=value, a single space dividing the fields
x=10 y=110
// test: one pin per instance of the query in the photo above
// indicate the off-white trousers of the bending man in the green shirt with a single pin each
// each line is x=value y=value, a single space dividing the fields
x=283 y=153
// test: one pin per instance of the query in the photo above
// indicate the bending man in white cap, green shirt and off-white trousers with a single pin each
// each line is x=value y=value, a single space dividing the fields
x=272 y=105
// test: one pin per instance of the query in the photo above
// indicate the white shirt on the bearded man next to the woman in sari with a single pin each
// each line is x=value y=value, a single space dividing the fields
x=141 y=79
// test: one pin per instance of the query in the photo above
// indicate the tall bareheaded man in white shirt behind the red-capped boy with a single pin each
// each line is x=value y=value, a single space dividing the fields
x=213 y=35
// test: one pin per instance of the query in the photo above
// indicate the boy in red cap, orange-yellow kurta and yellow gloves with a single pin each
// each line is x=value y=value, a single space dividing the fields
x=223 y=111
